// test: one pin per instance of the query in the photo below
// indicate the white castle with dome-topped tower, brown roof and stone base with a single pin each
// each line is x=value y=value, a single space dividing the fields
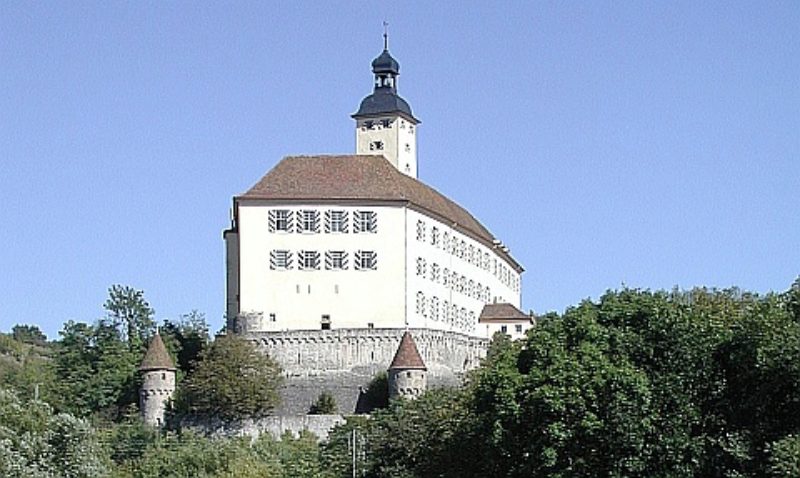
x=355 y=248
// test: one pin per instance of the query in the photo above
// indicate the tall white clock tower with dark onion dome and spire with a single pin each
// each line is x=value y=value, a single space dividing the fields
x=384 y=122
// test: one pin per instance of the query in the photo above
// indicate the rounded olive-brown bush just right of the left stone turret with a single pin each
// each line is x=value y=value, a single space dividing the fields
x=231 y=381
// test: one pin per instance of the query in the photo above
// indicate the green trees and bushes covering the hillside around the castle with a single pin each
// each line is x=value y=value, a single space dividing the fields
x=676 y=383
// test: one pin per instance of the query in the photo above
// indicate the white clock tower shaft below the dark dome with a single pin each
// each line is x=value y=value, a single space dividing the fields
x=392 y=136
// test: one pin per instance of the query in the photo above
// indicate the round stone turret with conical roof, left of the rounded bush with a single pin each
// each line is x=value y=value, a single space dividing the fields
x=158 y=382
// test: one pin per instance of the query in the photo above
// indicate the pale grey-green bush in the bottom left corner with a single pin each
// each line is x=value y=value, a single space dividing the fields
x=34 y=442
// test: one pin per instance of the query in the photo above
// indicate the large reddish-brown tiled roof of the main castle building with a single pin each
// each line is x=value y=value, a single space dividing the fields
x=364 y=178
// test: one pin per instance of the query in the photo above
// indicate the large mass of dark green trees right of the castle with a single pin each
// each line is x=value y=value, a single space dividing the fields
x=639 y=383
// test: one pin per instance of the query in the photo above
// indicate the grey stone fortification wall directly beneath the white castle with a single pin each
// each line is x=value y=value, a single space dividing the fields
x=344 y=361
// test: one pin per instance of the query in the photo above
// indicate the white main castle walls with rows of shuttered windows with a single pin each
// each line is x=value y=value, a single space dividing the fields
x=424 y=273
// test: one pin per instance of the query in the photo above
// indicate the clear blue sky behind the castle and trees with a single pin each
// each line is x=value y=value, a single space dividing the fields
x=650 y=144
